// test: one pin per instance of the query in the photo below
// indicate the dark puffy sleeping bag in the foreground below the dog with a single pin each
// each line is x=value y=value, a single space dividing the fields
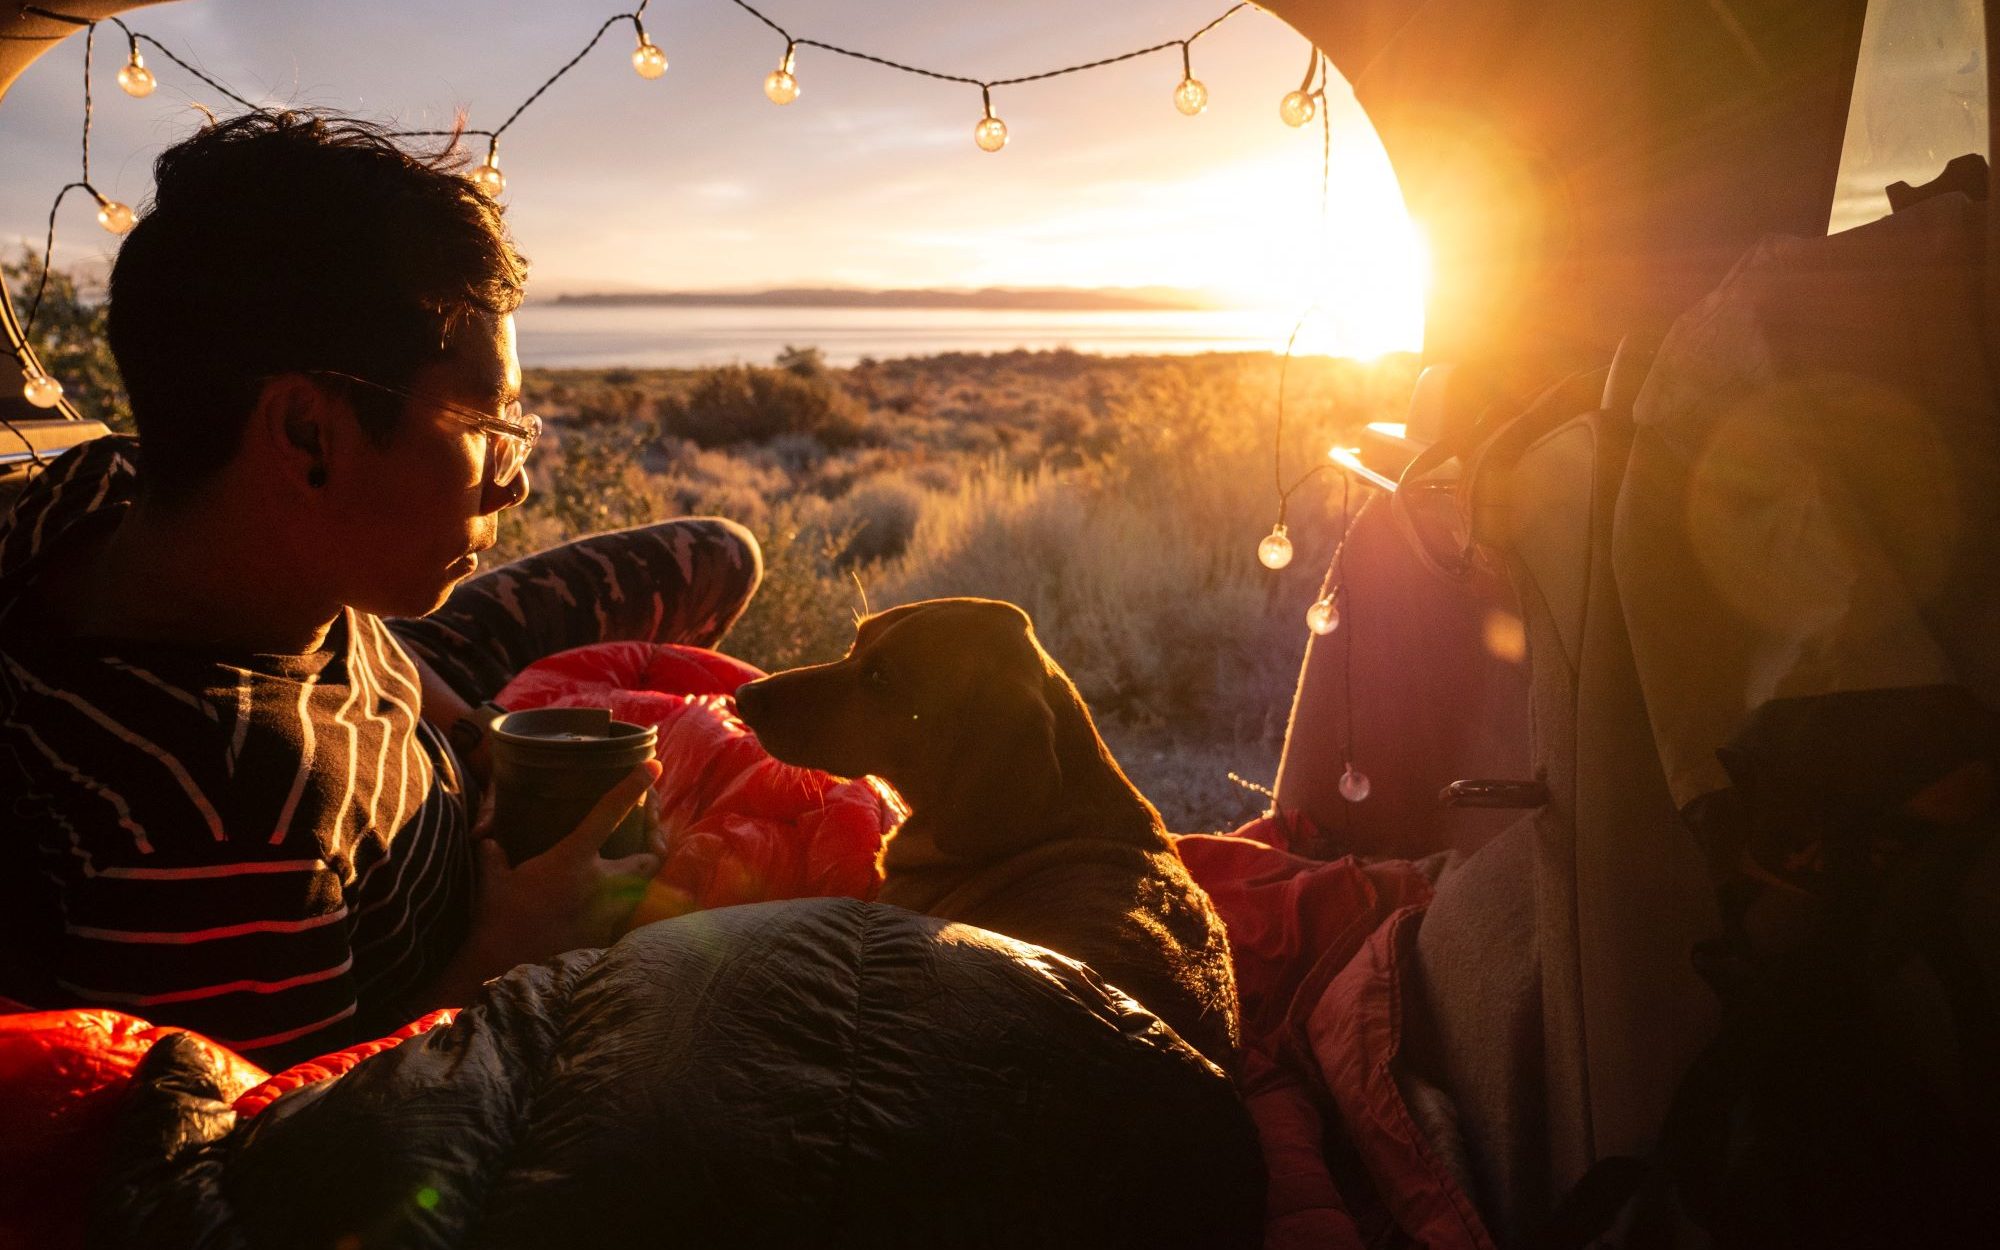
x=819 y=1073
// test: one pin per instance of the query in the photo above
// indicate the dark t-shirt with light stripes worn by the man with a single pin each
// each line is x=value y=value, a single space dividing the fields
x=271 y=851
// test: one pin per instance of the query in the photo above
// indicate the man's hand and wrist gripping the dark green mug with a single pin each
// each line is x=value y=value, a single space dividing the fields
x=559 y=901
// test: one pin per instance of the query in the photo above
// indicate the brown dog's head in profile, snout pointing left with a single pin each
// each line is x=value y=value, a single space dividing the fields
x=953 y=703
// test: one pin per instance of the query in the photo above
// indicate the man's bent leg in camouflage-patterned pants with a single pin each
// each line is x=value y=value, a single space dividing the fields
x=677 y=581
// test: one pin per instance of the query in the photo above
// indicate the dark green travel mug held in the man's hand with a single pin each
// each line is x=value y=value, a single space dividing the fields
x=553 y=765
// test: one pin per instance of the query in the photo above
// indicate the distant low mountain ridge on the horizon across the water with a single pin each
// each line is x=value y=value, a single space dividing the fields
x=1049 y=299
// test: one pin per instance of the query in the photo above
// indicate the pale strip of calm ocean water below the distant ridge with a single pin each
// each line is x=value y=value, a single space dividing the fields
x=677 y=337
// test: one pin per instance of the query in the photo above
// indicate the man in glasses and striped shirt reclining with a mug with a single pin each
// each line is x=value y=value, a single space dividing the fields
x=231 y=797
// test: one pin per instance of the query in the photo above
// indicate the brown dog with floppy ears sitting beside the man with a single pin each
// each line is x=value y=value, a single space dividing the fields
x=1019 y=817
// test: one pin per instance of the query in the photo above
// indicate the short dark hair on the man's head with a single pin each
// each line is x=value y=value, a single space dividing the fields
x=285 y=243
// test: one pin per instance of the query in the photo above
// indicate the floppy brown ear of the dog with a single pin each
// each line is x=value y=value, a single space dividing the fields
x=1011 y=777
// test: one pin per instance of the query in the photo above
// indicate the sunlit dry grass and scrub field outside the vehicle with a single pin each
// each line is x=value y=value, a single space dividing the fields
x=1119 y=501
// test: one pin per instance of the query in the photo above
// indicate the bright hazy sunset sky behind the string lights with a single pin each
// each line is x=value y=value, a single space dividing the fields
x=869 y=179
